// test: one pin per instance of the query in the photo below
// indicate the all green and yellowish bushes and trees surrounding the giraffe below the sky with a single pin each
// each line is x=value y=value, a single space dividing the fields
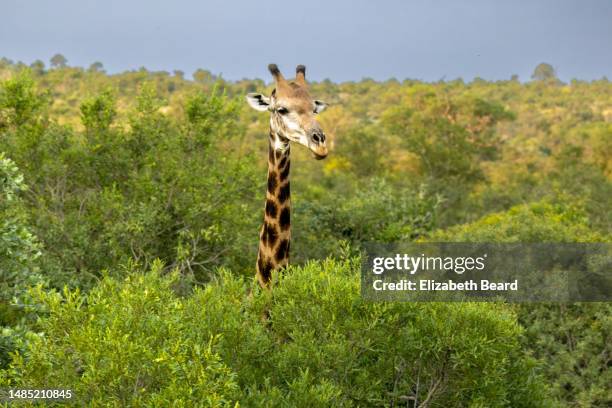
x=115 y=187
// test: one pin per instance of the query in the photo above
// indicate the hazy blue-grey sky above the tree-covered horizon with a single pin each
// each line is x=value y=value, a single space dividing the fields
x=336 y=39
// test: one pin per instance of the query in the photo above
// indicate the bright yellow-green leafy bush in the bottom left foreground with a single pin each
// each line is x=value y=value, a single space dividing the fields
x=124 y=346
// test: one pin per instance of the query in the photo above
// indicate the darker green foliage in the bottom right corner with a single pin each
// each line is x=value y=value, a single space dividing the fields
x=574 y=343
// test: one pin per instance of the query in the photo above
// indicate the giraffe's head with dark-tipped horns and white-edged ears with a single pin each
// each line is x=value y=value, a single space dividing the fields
x=292 y=111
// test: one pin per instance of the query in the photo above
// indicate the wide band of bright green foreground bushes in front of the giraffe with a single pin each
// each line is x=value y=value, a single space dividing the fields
x=135 y=342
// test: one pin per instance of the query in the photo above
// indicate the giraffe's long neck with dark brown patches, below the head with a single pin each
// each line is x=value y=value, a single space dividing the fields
x=275 y=235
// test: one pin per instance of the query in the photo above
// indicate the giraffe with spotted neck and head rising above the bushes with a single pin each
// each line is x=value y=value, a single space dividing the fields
x=292 y=119
